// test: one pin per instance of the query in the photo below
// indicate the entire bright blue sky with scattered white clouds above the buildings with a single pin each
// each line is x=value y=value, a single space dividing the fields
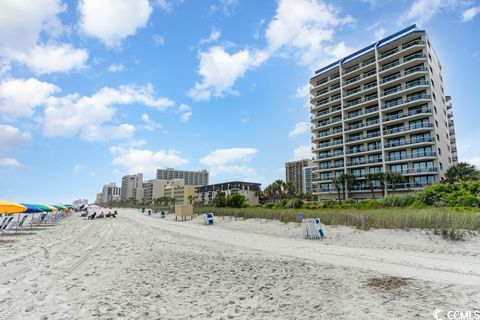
x=92 y=90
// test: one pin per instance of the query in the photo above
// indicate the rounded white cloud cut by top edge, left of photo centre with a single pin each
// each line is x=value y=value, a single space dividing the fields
x=111 y=20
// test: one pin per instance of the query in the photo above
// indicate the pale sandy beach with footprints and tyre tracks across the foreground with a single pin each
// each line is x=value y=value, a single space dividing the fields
x=142 y=267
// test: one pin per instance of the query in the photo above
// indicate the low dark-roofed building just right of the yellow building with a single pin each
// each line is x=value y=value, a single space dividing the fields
x=206 y=194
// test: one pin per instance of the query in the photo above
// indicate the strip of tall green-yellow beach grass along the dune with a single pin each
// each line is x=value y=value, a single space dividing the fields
x=441 y=220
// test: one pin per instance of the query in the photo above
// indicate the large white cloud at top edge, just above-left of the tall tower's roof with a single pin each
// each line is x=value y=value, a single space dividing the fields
x=303 y=27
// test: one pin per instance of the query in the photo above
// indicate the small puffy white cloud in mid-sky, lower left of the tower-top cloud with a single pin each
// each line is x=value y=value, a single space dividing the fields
x=221 y=69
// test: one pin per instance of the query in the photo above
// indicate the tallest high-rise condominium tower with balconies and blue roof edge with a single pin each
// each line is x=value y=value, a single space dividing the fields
x=381 y=109
